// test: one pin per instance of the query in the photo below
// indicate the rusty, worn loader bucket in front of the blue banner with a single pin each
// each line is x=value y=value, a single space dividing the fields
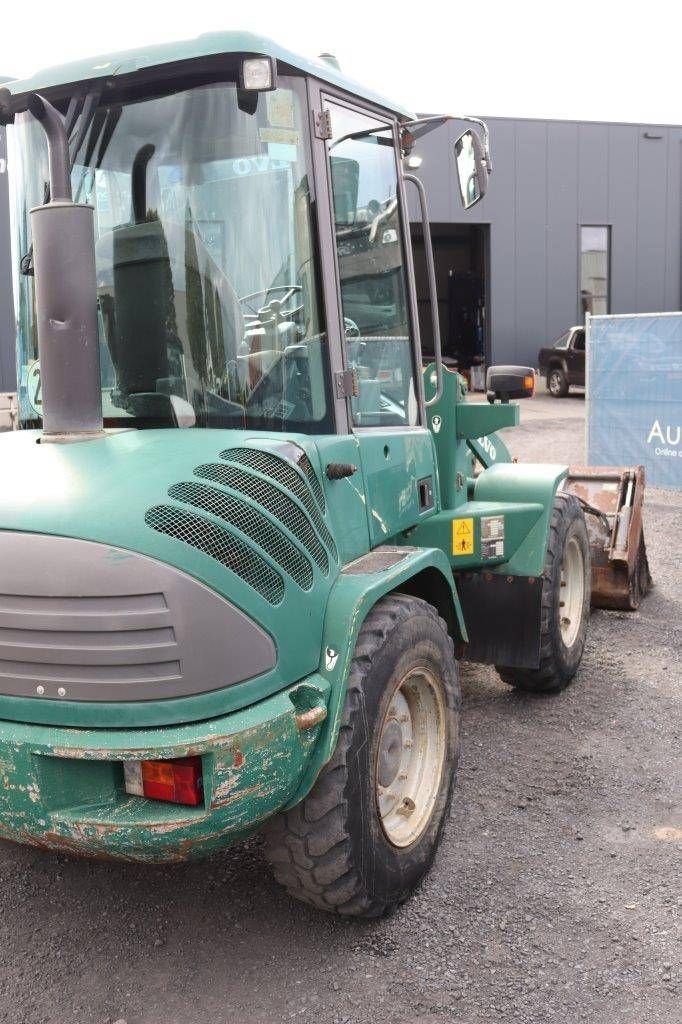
x=612 y=499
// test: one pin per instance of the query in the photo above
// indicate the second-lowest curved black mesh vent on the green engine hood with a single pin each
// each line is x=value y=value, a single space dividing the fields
x=250 y=522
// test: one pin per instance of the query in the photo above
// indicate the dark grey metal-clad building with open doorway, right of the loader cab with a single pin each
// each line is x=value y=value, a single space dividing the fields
x=579 y=217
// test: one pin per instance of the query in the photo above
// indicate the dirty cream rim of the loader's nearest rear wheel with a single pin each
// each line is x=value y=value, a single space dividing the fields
x=411 y=757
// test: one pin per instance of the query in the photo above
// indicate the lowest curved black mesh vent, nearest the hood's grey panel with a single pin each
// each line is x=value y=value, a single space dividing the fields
x=219 y=544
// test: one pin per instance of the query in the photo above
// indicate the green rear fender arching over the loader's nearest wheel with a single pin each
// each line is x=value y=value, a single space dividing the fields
x=354 y=595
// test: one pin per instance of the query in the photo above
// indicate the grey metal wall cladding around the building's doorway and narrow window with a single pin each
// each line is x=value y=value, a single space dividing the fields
x=549 y=179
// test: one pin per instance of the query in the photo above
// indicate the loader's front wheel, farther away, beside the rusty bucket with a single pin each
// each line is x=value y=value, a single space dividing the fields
x=565 y=604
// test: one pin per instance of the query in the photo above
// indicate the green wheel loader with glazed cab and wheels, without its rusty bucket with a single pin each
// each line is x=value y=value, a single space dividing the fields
x=244 y=539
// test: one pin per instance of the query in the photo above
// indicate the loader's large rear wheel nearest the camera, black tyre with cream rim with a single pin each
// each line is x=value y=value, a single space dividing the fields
x=366 y=835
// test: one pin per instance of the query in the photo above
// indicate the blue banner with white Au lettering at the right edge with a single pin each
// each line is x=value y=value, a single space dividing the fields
x=634 y=392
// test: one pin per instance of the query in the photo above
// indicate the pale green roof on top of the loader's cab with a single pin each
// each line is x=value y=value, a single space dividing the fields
x=211 y=45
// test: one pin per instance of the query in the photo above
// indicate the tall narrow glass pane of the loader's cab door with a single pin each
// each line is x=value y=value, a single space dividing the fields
x=370 y=248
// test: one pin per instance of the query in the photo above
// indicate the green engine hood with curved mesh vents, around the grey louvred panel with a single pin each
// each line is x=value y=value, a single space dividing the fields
x=245 y=515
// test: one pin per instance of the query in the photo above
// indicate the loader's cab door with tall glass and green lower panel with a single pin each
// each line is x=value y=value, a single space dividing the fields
x=380 y=346
